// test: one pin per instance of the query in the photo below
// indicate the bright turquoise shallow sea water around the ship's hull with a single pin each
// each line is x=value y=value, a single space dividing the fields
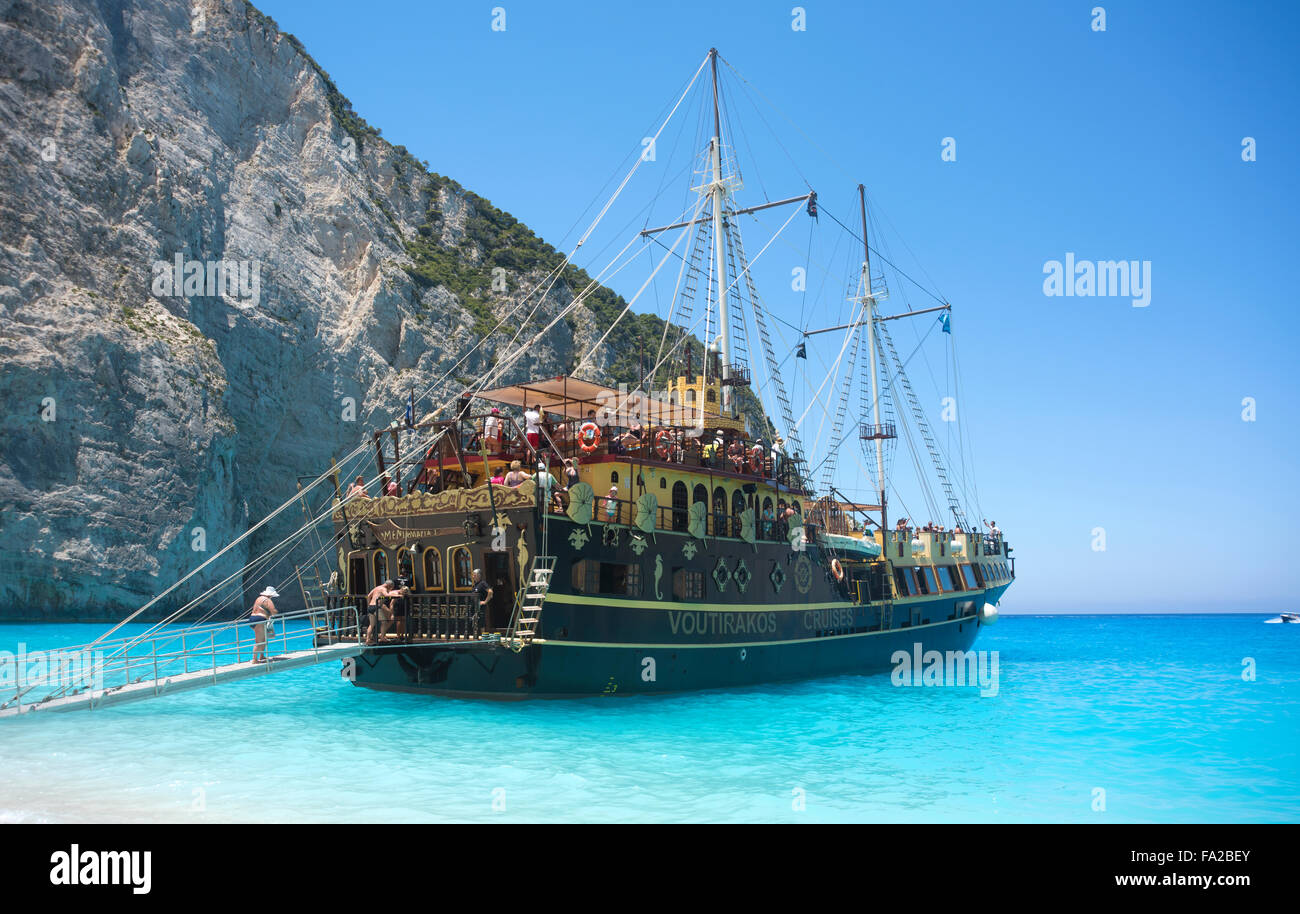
x=1151 y=709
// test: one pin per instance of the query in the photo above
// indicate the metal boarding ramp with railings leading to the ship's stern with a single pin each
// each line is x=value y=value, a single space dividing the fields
x=172 y=660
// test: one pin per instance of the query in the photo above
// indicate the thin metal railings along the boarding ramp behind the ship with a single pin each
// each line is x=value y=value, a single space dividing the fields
x=31 y=678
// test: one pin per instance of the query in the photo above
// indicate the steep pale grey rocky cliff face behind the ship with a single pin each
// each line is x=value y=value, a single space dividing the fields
x=203 y=254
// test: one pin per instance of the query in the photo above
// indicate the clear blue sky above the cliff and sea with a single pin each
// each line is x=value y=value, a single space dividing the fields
x=1121 y=145
